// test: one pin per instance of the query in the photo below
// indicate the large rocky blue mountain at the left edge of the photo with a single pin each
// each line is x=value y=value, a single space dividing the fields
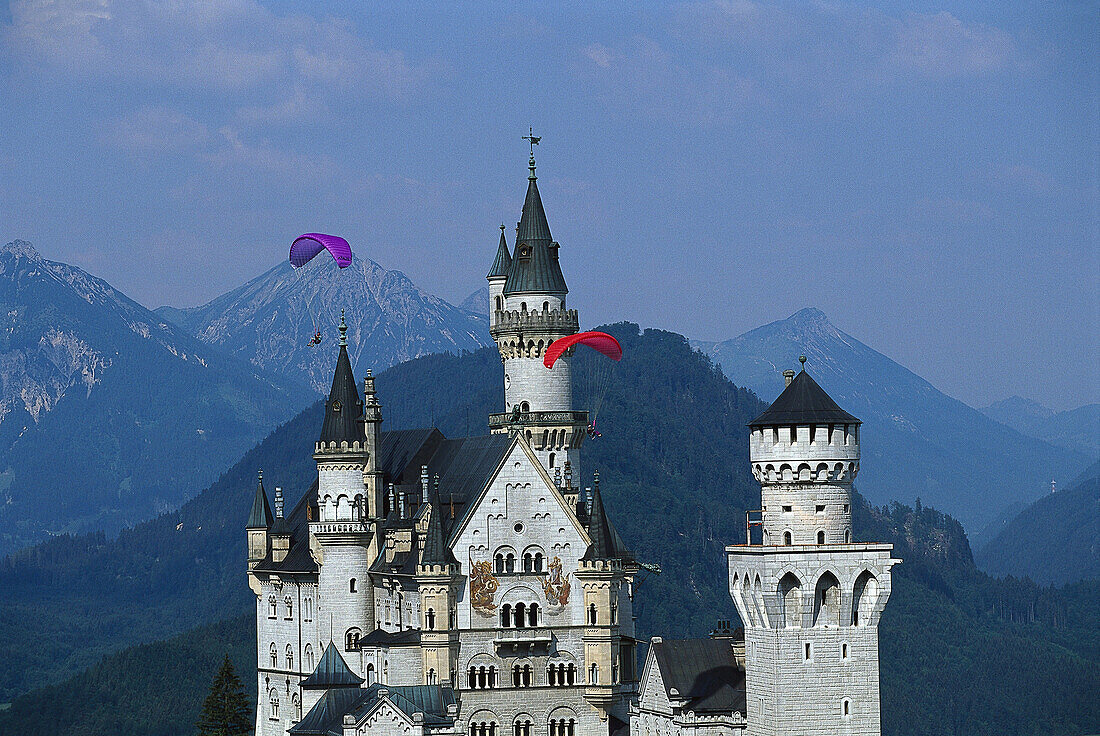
x=109 y=415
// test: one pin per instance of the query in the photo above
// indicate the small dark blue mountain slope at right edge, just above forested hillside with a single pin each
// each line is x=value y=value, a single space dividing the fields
x=1055 y=541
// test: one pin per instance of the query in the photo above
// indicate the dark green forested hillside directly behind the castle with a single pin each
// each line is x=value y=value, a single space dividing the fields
x=963 y=654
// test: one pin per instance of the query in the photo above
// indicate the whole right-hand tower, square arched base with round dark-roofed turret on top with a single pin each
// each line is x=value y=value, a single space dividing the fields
x=809 y=597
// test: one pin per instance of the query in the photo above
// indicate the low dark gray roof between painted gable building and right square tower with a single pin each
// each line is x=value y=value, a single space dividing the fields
x=703 y=672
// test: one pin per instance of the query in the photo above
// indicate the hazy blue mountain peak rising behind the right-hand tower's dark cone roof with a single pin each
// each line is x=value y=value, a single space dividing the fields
x=917 y=443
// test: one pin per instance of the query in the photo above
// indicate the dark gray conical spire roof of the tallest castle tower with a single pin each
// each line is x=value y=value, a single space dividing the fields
x=535 y=267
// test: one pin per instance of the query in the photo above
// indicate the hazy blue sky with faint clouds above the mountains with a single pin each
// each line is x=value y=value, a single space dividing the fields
x=927 y=174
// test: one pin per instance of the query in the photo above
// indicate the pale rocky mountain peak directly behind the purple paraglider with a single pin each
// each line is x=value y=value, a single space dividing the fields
x=271 y=320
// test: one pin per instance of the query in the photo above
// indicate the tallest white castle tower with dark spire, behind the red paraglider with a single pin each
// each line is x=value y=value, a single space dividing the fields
x=527 y=301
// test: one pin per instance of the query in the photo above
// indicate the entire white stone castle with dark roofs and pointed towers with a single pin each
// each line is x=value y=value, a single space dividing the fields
x=475 y=586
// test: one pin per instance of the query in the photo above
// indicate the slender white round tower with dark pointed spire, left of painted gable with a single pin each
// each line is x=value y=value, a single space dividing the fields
x=349 y=510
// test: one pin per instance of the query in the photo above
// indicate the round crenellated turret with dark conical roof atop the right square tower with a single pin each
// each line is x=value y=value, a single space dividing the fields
x=806 y=454
